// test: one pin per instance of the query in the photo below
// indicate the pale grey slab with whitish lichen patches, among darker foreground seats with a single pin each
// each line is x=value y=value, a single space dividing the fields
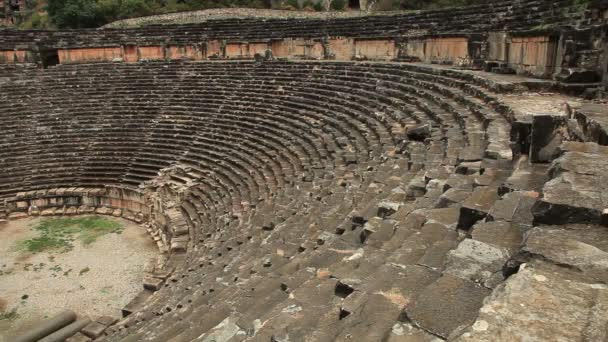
x=477 y=261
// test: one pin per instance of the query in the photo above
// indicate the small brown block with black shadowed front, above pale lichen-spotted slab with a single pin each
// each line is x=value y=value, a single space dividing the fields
x=477 y=206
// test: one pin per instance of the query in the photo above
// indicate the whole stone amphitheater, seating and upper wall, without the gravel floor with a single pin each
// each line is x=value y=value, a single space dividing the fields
x=381 y=178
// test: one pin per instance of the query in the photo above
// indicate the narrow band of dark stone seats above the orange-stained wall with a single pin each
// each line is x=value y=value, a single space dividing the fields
x=523 y=15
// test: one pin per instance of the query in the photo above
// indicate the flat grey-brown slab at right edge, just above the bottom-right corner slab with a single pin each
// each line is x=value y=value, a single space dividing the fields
x=579 y=246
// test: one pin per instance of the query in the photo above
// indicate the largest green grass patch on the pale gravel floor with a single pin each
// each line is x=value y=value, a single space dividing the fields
x=60 y=233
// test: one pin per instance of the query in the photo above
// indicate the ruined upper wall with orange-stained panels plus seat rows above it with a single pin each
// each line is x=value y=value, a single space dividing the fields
x=542 y=38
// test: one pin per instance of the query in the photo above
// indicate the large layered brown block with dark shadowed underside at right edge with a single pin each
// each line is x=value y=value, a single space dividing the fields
x=576 y=193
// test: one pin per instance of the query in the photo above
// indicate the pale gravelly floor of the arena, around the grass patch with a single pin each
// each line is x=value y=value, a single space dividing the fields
x=95 y=280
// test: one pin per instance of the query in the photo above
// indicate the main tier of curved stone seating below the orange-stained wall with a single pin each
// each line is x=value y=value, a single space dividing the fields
x=306 y=201
